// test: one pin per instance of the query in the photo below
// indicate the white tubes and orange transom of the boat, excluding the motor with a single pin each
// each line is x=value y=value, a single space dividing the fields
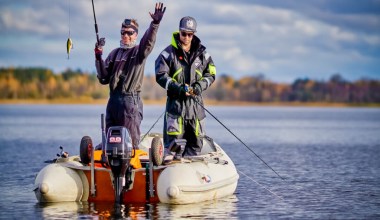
x=210 y=176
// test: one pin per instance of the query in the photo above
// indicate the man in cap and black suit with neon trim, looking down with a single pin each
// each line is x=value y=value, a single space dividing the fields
x=185 y=70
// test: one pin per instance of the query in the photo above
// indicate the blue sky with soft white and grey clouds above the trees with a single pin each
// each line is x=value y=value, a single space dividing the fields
x=282 y=39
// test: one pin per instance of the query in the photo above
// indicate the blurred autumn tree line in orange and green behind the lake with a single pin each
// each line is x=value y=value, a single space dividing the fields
x=43 y=83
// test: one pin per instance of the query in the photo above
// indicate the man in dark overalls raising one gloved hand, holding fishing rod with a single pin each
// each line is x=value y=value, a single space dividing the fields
x=123 y=70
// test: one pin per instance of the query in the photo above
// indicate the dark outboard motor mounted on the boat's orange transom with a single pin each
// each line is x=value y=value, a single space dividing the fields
x=119 y=153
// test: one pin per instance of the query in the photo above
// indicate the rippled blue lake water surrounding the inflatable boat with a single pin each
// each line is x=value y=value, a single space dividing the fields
x=329 y=158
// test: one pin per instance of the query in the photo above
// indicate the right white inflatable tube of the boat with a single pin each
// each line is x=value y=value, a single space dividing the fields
x=185 y=183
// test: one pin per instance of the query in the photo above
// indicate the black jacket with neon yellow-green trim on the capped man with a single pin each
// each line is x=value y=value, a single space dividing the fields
x=174 y=67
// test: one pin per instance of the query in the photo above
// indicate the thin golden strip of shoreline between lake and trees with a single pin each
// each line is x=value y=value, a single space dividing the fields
x=162 y=102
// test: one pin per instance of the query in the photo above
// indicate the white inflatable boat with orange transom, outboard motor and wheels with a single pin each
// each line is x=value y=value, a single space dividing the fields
x=121 y=174
